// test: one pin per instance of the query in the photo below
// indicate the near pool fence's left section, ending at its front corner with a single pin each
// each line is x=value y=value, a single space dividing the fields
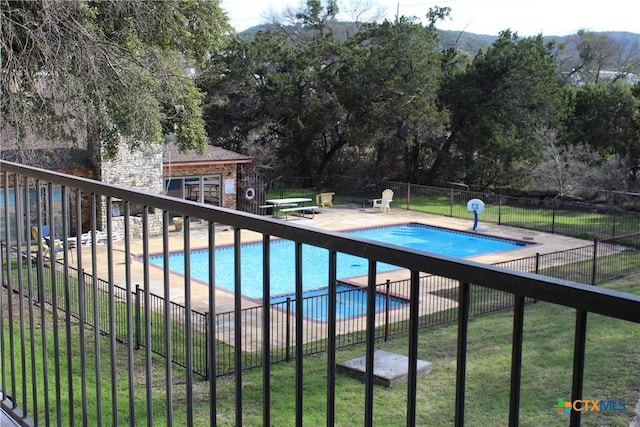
x=106 y=306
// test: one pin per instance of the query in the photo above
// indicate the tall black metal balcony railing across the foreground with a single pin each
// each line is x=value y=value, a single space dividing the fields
x=46 y=379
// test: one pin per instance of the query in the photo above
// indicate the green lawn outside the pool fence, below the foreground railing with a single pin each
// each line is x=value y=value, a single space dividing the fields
x=612 y=367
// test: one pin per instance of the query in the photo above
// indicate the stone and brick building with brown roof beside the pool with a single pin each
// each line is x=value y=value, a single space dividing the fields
x=162 y=169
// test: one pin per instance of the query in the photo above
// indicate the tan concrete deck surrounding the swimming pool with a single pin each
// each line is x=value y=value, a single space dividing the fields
x=336 y=218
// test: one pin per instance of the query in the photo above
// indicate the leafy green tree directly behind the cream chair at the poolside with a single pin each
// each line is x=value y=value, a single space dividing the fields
x=392 y=92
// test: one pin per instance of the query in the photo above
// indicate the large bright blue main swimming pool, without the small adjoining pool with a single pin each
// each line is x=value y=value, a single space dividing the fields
x=316 y=260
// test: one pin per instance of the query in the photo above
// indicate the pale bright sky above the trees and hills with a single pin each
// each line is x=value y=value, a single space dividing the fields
x=526 y=17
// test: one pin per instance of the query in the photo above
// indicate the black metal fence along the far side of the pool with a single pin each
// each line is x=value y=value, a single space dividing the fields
x=546 y=214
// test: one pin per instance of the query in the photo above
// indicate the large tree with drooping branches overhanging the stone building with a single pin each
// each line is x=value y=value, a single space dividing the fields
x=94 y=72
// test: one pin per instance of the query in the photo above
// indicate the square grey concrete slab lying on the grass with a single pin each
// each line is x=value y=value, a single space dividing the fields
x=389 y=369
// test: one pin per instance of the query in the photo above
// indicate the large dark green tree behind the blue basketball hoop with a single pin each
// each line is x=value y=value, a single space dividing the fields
x=498 y=104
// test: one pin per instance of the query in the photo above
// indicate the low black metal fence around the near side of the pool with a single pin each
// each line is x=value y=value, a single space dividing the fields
x=596 y=263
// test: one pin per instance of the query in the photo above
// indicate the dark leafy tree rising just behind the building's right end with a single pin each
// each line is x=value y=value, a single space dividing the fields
x=276 y=91
